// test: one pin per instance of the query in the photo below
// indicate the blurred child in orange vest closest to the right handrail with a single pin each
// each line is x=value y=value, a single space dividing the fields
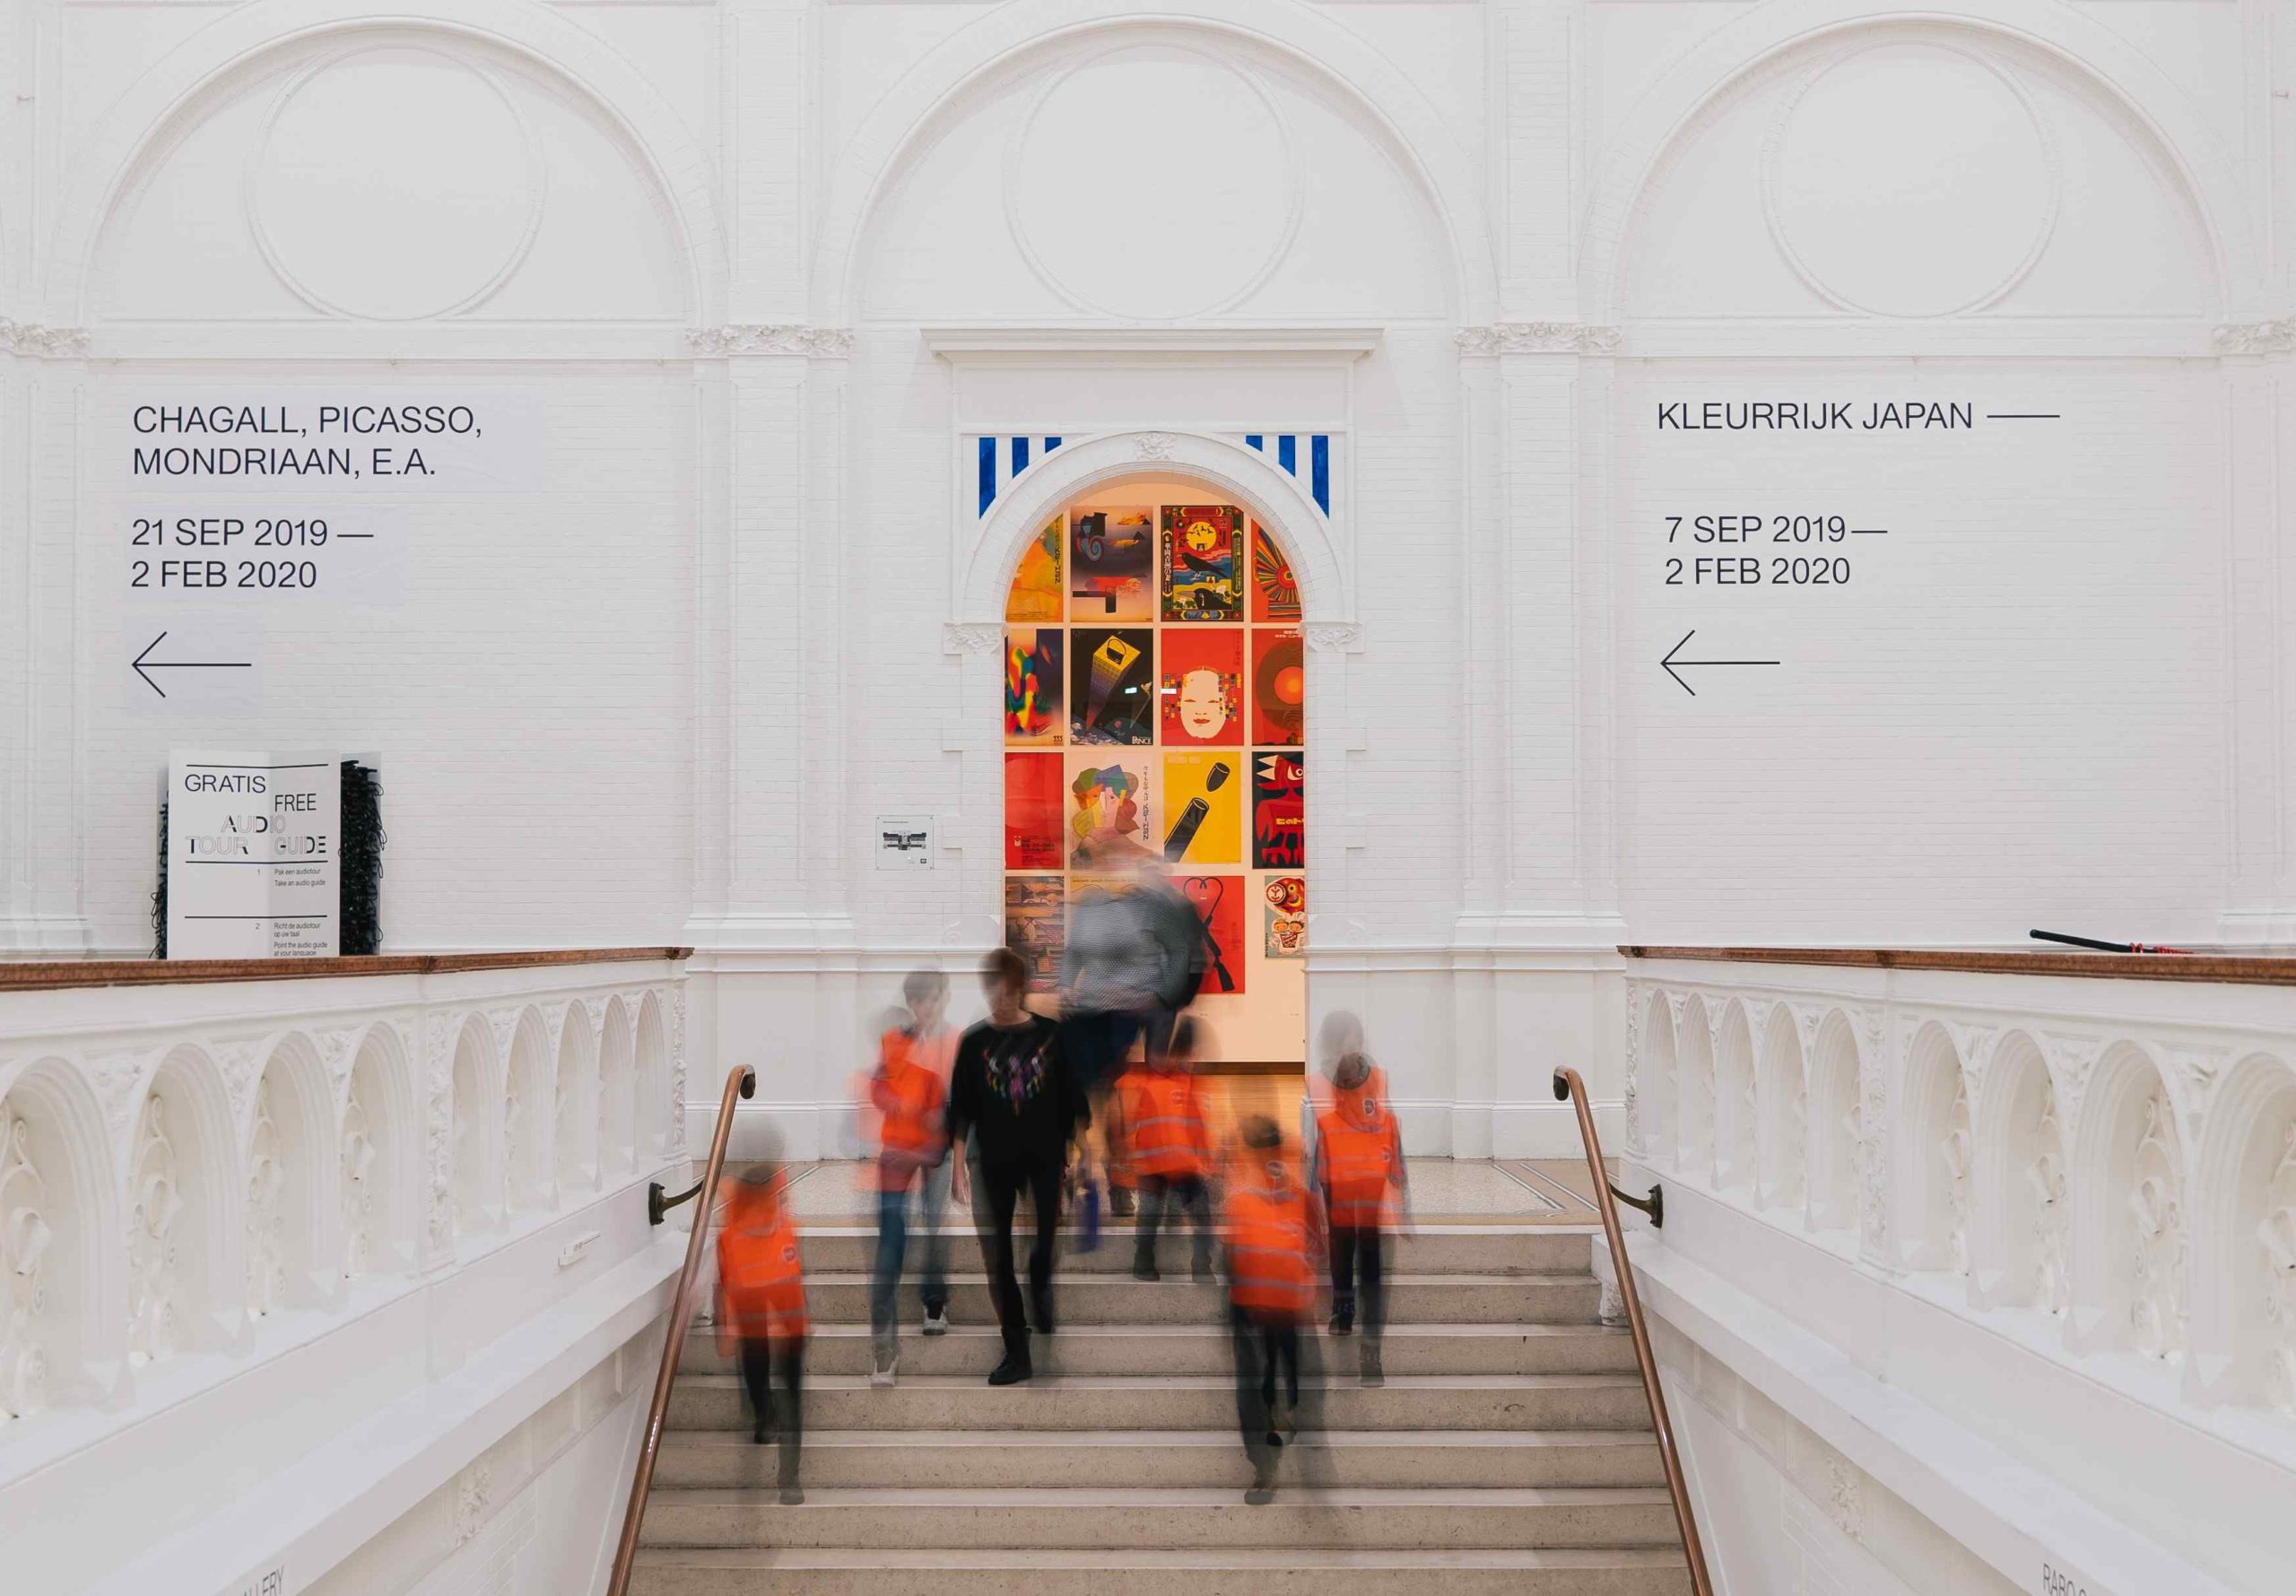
x=1360 y=1177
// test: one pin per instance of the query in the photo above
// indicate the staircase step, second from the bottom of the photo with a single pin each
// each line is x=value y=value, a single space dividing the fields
x=1163 y=1517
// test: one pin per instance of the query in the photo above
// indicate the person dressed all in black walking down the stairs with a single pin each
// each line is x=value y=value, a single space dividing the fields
x=1016 y=1108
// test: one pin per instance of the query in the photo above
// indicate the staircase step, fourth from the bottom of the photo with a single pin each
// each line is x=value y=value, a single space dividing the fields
x=1542 y=1402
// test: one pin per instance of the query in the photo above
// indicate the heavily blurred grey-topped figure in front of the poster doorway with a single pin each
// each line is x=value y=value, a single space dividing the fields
x=1133 y=963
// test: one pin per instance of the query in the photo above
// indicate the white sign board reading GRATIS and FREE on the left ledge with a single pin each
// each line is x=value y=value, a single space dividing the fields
x=254 y=846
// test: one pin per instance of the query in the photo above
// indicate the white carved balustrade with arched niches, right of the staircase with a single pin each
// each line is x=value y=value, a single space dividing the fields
x=2120 y=1170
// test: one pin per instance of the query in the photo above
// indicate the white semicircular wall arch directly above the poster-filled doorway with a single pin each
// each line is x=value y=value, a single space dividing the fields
x=1161 y=173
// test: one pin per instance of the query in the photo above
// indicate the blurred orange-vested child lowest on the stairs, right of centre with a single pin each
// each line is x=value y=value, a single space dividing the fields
x=1271 y=1294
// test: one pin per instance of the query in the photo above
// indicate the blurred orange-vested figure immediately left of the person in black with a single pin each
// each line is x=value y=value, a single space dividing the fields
x=908 y=1097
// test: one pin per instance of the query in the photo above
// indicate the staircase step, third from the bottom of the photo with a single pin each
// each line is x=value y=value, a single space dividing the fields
x=1048 y=1459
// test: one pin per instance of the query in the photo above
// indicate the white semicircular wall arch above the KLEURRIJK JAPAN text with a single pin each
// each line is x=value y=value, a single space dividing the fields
x=1914 y=173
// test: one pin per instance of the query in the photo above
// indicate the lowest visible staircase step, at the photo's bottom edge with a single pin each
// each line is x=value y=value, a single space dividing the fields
x=1262 y=1572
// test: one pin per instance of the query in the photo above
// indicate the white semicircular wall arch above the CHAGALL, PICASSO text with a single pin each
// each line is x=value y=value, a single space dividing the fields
x=401 y=176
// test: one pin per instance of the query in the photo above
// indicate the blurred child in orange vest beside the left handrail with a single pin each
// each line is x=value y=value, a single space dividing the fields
x=763 y=1310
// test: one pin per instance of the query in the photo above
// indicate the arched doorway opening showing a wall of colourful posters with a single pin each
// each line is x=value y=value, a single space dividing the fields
x=1156 y=713
